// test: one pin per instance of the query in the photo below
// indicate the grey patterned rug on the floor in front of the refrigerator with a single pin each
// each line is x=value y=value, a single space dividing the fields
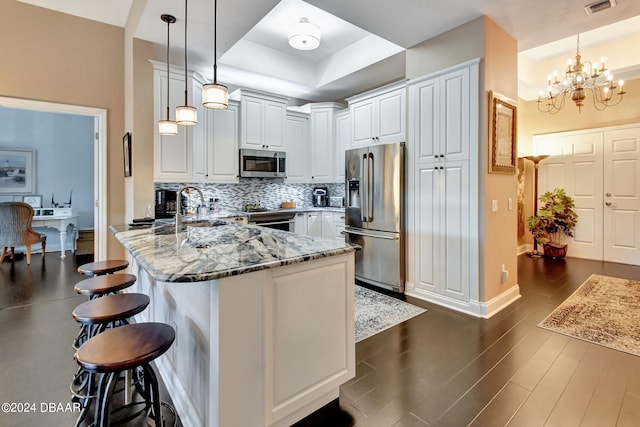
x=376 y=312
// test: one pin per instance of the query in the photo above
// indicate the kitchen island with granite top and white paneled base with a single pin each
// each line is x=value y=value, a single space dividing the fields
x=264 y=319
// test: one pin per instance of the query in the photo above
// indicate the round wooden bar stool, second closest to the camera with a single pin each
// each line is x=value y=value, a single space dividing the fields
x=95 y=316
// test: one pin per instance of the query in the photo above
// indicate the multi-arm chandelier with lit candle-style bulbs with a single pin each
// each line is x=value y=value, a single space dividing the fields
x=581 y=77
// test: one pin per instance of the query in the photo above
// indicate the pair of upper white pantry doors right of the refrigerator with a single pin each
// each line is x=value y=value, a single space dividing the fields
x=439 y=116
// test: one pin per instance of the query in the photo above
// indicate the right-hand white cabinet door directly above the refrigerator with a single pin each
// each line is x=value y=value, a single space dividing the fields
x=391 y=117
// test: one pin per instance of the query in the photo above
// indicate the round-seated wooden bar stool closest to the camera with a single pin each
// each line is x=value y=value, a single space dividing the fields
x=129 y=347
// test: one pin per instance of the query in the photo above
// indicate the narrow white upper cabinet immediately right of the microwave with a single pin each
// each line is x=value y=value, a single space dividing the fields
x=296 y=145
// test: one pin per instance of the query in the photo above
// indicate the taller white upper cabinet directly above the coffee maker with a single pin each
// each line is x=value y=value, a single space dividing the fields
x=322 y=141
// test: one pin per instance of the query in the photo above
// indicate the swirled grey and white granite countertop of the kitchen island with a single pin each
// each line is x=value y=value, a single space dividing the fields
x=225 y=248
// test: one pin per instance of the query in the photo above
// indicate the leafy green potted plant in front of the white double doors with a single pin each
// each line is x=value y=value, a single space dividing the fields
x=554 y=220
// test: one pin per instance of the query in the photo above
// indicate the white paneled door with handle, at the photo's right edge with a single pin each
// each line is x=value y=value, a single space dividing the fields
x=622 y=196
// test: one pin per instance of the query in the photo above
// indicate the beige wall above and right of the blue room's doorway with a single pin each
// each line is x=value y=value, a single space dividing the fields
x=53 y=57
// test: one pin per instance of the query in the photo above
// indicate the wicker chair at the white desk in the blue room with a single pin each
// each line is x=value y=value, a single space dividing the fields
x=15 y=229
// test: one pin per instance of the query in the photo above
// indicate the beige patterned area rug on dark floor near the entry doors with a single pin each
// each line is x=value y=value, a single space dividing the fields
x=603 y=310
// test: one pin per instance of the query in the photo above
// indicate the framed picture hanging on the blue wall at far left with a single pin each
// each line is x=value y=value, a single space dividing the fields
x=17 y=171
